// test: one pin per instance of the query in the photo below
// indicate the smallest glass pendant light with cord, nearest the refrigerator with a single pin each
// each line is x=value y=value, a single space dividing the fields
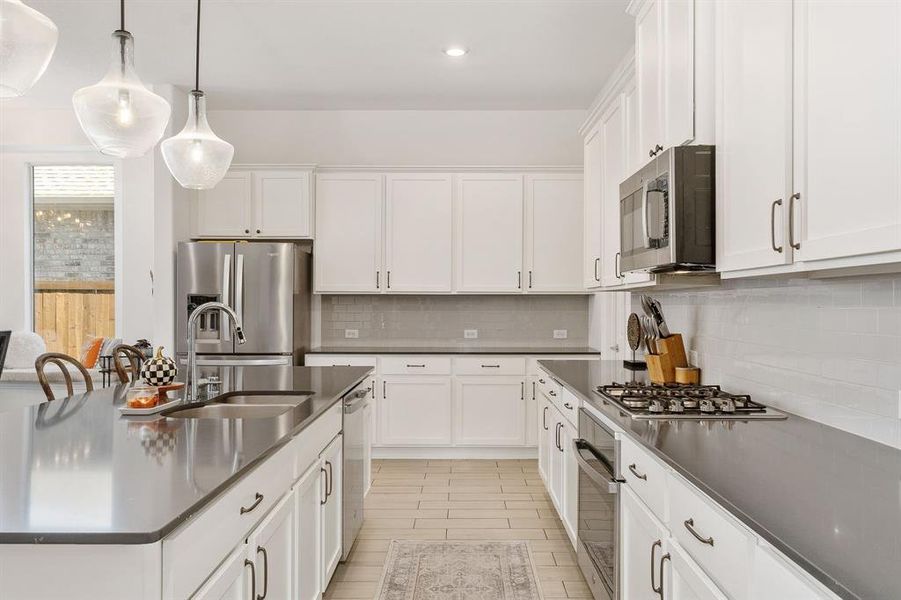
x=197 y=157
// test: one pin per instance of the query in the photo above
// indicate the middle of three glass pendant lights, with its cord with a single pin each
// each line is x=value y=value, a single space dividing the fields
x=119 y=115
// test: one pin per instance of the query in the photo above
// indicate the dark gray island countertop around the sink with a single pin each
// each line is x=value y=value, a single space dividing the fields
x=74 y=471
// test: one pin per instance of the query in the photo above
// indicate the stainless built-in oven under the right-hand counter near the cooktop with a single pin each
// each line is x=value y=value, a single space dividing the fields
x=596 y=452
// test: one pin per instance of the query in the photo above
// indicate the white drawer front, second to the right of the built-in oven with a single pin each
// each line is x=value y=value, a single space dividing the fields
x=720 y=545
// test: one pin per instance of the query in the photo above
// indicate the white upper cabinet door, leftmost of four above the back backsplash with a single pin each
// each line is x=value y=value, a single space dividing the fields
x=348 y=253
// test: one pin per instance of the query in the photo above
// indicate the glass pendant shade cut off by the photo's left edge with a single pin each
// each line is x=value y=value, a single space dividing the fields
x=27 y=41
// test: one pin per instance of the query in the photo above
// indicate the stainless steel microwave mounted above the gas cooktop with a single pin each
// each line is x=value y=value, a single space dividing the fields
x=667 y=218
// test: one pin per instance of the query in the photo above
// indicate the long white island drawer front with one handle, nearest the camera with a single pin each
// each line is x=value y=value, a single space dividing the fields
x=194 y=550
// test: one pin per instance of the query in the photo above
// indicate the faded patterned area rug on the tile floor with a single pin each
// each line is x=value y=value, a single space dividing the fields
x=459 y=571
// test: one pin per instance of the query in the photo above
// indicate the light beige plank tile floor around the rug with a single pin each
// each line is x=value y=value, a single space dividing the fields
x=459 y=500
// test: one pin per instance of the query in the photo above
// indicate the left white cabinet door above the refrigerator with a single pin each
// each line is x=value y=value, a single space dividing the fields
x=225 y=210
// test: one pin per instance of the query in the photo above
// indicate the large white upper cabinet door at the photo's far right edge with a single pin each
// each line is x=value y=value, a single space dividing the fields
x=847 y=128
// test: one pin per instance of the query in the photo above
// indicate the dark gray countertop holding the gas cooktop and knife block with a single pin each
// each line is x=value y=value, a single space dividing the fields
x=829 y=500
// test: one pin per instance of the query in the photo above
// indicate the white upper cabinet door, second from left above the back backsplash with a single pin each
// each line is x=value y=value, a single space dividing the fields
x=419 y=233
